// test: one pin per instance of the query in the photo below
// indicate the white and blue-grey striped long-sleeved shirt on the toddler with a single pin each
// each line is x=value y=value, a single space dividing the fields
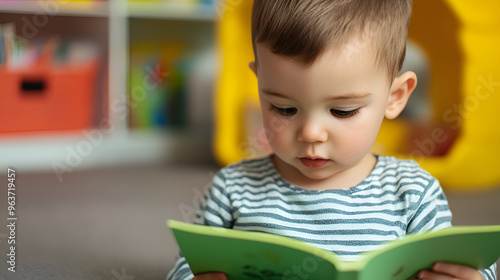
x=396 y=199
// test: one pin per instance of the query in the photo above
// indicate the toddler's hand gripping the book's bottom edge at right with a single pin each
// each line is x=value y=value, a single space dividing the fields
x=448 y=271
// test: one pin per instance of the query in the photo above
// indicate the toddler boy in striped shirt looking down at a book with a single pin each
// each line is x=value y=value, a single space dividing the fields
x=327 y=77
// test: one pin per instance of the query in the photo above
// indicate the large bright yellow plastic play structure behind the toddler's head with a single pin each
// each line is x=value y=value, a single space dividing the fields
x=461 y=39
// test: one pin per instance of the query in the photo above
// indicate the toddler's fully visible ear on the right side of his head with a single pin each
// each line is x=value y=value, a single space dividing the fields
x=400 y=92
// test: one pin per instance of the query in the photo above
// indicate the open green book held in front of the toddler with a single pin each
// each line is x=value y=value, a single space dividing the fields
x=252 y=255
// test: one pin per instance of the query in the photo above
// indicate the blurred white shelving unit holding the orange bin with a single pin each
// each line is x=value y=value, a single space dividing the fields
x=114 y=25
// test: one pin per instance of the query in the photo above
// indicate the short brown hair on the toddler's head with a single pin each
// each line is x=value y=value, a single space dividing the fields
x=303 y=29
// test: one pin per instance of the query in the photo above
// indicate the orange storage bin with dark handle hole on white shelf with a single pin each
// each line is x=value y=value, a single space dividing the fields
x=45 y=98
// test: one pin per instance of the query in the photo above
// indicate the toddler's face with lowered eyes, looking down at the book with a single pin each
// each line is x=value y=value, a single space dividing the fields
x=322 y=120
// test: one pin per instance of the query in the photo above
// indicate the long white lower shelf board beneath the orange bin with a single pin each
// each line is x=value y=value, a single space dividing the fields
x=65 y=152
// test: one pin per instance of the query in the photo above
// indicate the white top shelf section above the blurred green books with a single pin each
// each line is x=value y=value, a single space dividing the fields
x=171 y=10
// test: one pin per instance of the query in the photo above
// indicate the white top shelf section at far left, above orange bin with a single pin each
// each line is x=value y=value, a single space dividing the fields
x=56 y=8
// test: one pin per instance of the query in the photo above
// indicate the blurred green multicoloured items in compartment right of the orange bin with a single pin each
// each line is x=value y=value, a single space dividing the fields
x=157 y=93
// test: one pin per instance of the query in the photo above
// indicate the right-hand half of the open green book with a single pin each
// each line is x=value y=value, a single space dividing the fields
x=402 y=259
